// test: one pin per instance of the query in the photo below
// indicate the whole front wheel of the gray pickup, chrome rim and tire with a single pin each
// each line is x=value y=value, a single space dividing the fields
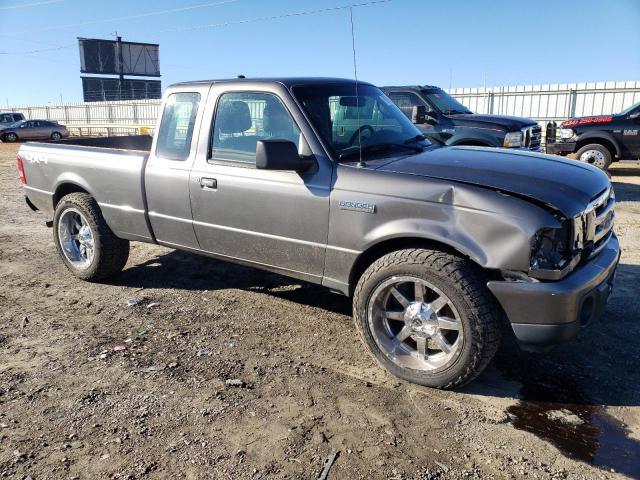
x=427 y=317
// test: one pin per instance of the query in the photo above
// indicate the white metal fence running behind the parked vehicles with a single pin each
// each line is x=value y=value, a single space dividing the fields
x=543 y=103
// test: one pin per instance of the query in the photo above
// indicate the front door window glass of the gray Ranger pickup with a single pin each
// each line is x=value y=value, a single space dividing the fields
x=243 y=118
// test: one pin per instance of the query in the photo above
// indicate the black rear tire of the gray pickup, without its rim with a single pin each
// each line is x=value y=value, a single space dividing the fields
x=110 y=252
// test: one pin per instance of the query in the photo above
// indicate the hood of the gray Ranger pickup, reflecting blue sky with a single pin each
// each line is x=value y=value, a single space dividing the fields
x=566 y=185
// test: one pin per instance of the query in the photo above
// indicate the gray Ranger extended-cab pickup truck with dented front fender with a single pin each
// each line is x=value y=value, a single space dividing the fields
x=438 y=246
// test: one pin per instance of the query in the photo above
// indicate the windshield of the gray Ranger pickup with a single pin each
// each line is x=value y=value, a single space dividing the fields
x=369 y=123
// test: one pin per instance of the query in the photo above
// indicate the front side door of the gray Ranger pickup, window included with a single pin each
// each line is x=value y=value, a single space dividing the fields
x=273 y=219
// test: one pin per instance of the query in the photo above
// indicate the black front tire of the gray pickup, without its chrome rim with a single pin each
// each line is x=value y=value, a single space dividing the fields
x=464 y=284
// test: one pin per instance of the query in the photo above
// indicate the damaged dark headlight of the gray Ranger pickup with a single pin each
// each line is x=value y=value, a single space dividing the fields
x=551 y=254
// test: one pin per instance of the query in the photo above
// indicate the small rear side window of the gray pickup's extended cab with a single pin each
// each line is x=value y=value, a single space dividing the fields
x=176 y=126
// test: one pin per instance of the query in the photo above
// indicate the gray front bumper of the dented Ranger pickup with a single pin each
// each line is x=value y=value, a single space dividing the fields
x=546 y=313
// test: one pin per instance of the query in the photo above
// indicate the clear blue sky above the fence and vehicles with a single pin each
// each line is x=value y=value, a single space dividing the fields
x=402 y=41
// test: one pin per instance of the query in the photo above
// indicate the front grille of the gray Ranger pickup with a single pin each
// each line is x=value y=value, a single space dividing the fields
x=594 y=227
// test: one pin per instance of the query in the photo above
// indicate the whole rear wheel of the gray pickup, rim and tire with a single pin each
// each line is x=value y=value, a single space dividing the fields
x=86 y=244
